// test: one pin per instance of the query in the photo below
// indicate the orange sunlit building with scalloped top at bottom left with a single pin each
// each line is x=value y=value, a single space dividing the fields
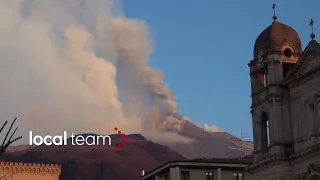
x=29 y=171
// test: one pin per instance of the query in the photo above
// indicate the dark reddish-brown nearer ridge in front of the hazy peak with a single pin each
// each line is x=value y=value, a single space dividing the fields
x=99 y=162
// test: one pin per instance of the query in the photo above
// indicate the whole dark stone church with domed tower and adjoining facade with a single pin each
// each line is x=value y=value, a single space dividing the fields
x=285 y=91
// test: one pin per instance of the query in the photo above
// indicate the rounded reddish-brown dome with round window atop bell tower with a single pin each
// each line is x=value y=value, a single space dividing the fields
x=278 y=37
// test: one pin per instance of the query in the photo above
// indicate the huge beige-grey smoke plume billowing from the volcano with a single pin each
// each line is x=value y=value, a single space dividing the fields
x=59 y=61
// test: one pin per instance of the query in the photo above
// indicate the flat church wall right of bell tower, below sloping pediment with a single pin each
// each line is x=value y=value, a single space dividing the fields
x=305 y=120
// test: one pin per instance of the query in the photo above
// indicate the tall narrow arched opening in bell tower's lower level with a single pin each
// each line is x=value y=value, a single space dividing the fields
x=265 y=136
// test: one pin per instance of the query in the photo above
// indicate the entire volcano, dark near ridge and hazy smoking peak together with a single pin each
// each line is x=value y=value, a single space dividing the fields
x=103 y=162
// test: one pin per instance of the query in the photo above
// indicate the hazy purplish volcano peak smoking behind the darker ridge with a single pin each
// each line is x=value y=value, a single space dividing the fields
x=208 y=144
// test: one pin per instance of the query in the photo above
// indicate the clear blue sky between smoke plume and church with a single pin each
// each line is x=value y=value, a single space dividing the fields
x=203 y=48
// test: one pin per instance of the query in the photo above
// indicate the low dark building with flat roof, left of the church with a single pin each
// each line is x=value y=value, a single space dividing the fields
x=201 y=169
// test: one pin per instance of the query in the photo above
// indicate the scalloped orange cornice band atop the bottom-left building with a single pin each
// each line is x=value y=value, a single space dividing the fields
x=29 y=168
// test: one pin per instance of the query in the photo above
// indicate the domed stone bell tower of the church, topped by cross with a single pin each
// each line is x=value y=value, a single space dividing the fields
x=276 y=51
